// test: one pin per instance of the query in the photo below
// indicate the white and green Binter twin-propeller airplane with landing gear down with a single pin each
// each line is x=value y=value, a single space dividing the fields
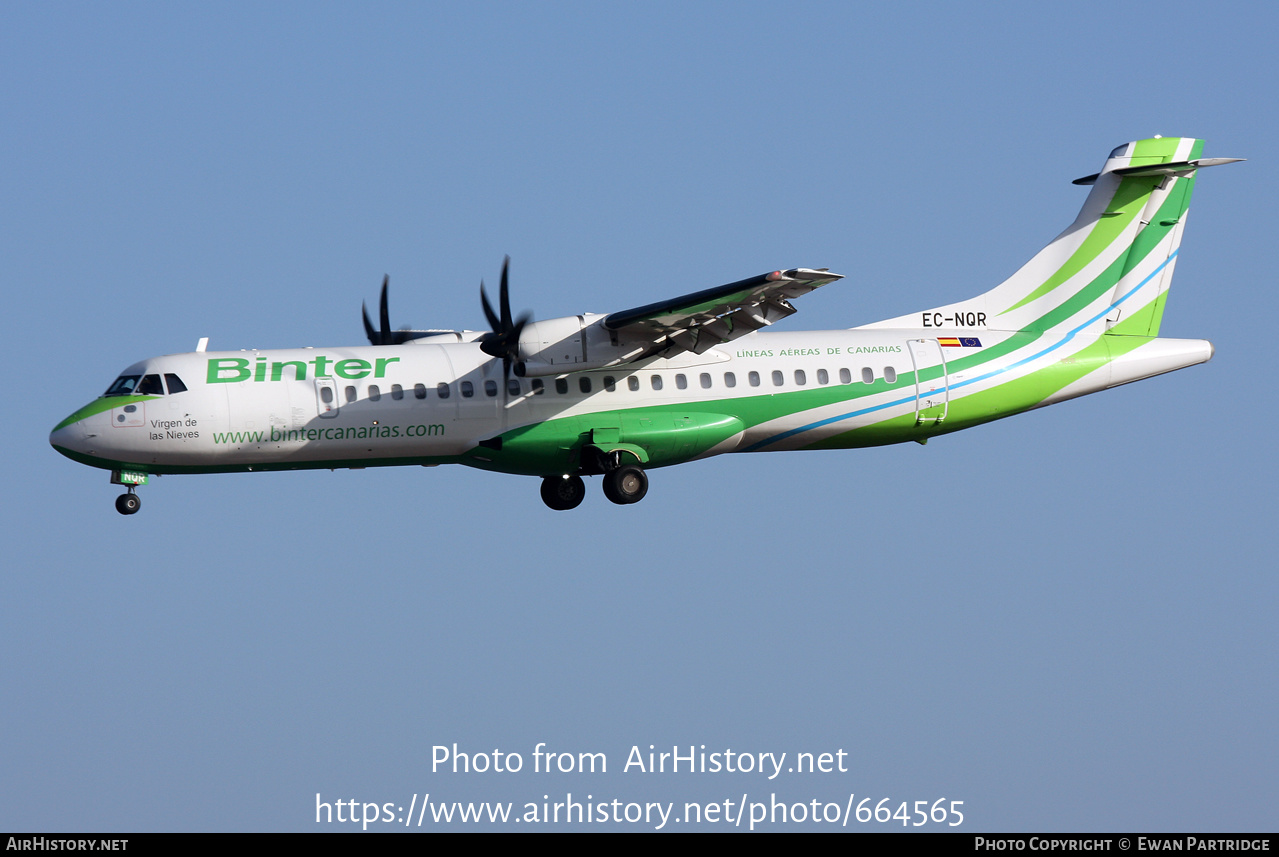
x=620 y=395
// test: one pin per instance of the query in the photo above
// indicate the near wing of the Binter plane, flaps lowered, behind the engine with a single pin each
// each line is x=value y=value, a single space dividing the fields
x=710 y=318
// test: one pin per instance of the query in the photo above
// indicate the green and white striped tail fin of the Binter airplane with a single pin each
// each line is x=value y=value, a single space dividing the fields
x=1112 y=268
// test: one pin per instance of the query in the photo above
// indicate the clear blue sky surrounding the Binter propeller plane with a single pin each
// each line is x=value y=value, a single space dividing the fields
x=1065 y=620
